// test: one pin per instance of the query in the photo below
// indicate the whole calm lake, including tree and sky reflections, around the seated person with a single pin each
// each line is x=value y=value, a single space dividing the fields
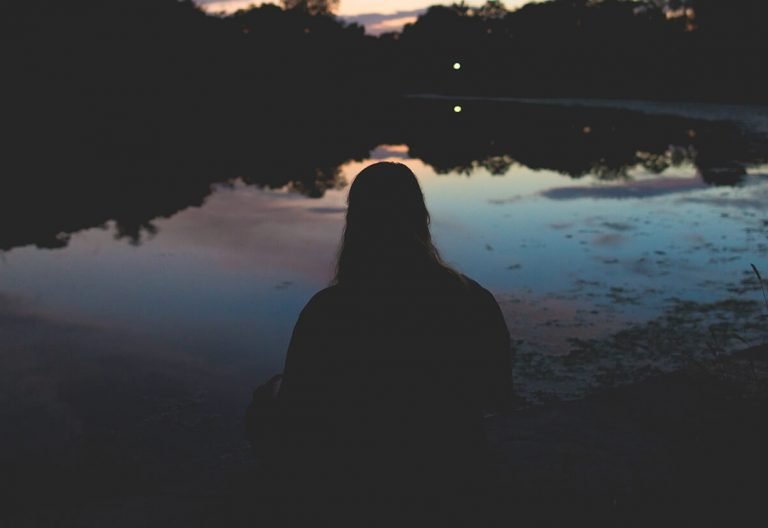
x=617 y=238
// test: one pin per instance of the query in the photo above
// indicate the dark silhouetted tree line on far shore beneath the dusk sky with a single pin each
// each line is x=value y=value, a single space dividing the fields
x=140 y=78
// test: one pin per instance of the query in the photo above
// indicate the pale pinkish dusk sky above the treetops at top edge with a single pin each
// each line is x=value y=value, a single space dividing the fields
x=377 y=16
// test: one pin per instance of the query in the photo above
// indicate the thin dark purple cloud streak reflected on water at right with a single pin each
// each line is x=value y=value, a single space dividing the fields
x=640 y=189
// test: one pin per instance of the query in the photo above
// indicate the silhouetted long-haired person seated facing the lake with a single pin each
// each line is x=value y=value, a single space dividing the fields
x=389 y=371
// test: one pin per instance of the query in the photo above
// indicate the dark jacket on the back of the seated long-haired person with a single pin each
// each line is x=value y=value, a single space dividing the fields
x=385 y=384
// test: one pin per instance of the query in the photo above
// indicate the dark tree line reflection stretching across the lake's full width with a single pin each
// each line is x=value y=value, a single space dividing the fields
x=44 y=208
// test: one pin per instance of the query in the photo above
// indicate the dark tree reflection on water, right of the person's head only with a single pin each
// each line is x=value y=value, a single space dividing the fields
x=575 y=141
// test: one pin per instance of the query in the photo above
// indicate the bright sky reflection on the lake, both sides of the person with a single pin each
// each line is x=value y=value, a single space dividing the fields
x=227 y=280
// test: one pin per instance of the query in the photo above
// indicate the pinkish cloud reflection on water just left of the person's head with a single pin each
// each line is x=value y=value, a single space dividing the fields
x=246 y=229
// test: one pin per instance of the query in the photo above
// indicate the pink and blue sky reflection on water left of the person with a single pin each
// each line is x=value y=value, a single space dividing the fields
x=214 y=278
